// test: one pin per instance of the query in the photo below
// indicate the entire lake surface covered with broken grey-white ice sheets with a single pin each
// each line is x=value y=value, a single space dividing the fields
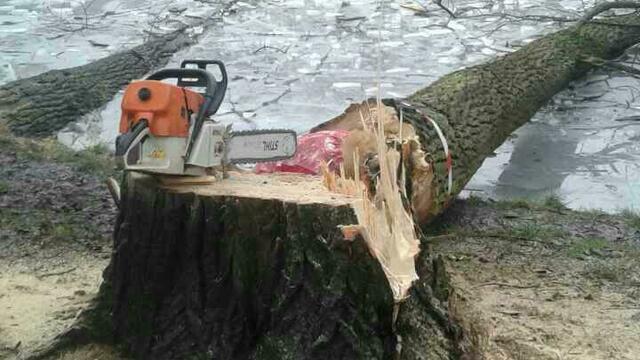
x=296 y=63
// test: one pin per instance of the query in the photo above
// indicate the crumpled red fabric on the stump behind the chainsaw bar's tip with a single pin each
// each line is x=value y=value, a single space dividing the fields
x=313 y=149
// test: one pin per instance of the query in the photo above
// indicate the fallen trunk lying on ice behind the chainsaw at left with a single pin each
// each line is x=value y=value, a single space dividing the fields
x=44 y=104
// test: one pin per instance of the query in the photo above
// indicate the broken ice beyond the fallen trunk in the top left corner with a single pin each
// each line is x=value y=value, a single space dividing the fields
x=39 y=35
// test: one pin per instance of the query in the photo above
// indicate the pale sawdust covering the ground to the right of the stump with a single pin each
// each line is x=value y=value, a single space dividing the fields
x=553 y=321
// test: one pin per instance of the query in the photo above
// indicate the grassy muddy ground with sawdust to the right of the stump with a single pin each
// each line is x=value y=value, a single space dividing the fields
x=543 y=282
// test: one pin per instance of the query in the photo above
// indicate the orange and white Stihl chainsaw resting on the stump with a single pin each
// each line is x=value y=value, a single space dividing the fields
x=168 y=129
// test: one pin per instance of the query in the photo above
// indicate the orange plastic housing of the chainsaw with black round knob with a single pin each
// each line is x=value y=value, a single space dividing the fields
x=165 y=107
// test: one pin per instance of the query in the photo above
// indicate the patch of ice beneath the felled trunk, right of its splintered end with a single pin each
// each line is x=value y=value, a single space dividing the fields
x=576 y=147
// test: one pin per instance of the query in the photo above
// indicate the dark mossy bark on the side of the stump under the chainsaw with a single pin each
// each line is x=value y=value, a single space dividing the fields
x=236 y=278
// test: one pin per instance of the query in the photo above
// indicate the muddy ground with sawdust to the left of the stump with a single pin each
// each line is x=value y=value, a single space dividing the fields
x=55 y=226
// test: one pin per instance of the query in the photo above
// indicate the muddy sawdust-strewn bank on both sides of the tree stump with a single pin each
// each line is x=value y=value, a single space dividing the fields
x=531 y=281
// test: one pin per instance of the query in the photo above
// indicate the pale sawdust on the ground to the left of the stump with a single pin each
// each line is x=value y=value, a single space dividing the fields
x=36 y=305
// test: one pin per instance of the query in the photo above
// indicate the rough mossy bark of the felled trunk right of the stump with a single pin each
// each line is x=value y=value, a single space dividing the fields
x=479 y=107
